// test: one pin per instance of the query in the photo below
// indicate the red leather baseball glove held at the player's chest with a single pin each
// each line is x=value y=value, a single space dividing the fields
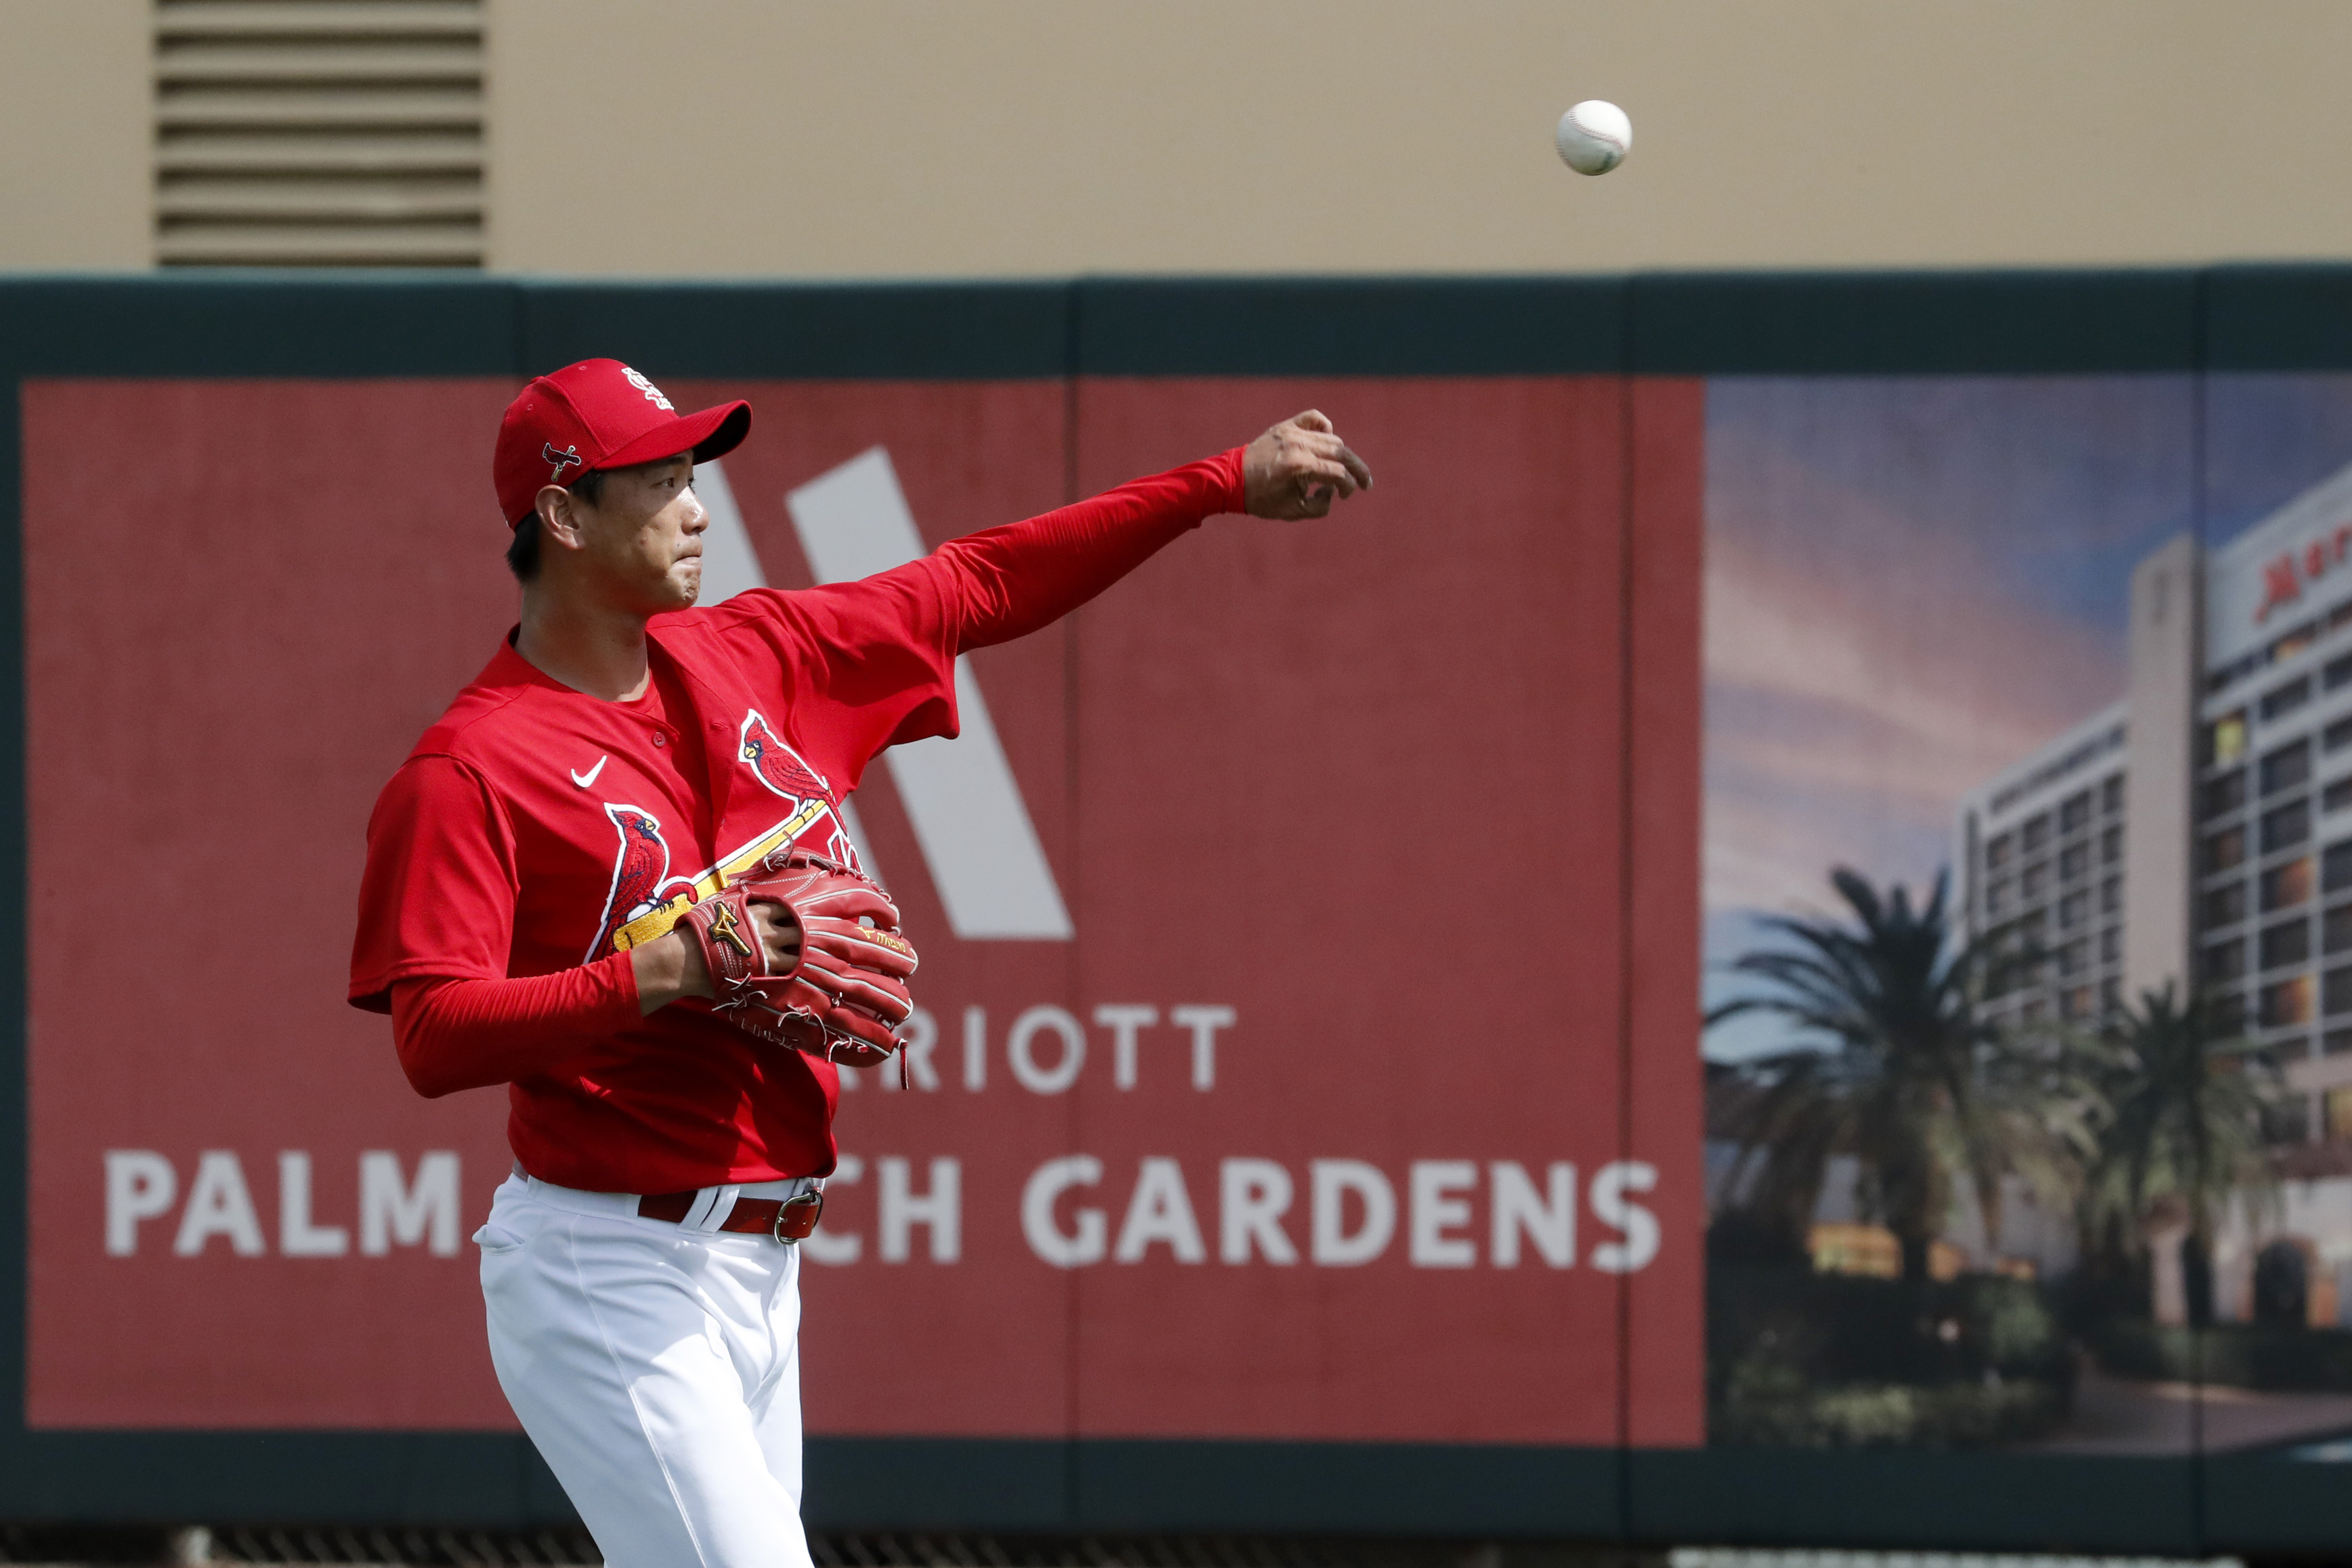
x=846 y=996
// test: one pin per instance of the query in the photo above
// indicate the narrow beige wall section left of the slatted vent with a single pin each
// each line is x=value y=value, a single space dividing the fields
x=76 y=156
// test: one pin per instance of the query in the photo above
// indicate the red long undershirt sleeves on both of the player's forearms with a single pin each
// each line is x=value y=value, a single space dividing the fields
x=1008 y=584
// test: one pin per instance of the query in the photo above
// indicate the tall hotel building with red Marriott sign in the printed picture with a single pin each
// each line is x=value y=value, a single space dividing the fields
x=2203 y=831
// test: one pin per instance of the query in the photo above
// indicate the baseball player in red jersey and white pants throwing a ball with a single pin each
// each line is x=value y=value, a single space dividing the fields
x=615 y=878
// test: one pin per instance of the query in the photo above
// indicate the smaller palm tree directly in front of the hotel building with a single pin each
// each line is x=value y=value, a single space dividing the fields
x=2186 y=1125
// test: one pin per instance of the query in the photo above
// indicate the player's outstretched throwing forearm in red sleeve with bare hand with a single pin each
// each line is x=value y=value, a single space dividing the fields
x=1027 y=575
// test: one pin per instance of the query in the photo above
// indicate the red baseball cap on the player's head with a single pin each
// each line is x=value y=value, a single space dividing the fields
x=599 y=415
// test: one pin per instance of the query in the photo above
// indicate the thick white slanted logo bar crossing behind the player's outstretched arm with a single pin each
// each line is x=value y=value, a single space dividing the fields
x=961 y=796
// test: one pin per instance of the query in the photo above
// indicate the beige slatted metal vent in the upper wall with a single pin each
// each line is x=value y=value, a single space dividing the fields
x=319 y=133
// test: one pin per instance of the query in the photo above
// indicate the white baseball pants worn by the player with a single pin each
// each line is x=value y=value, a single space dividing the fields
x=657 y=1367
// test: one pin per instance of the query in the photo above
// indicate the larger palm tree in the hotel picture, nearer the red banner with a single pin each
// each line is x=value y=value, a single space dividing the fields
x=1899 y=1071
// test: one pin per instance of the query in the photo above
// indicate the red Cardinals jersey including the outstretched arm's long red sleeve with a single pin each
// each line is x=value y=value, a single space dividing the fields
x=533 y=824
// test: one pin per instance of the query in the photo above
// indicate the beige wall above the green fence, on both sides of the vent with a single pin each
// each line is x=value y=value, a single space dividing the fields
x=1038 y=138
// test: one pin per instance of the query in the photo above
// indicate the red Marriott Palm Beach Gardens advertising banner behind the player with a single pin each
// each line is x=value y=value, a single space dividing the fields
x=1311 y=925
